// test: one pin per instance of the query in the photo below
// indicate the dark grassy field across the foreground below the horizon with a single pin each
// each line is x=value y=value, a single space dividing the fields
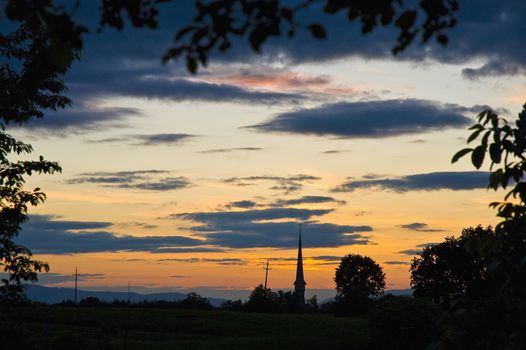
x=57 y=328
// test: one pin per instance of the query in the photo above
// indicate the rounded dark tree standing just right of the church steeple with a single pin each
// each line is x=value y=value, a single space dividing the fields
x=358 y=277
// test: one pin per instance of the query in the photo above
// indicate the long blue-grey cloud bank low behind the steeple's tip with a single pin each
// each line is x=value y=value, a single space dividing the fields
x=212 y=232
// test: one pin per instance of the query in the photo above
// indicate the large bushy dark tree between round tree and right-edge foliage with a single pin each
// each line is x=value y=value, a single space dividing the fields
x=449 y=269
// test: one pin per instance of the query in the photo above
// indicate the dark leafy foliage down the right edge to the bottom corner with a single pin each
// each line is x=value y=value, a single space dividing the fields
x=505 y=250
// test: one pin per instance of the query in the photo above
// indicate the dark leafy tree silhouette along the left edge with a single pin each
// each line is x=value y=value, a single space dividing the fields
x=34 y=56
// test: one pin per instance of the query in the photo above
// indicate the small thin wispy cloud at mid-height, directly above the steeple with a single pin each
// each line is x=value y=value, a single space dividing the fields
x=285 y=184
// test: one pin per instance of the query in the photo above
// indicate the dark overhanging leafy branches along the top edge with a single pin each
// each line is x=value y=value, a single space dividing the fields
x=218 y=22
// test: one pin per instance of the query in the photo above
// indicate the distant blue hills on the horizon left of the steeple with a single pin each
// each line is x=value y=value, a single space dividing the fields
x=53 y=295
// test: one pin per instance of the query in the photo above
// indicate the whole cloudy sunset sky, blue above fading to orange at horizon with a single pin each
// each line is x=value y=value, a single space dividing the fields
x=173 y=181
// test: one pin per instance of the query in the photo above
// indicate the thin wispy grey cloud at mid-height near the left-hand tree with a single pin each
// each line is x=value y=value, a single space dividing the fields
x=146 y=180
